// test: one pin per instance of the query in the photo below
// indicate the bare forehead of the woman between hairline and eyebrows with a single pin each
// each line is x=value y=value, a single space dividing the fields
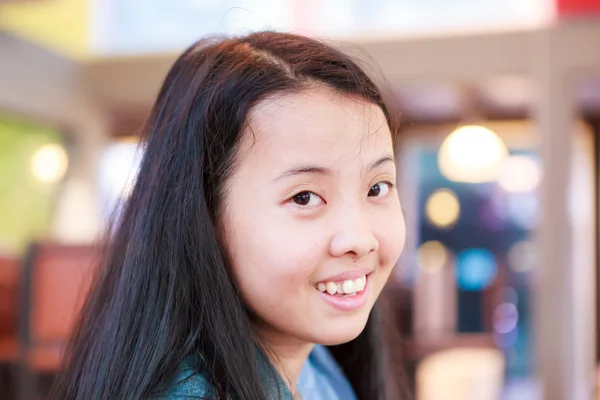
x=316 y=125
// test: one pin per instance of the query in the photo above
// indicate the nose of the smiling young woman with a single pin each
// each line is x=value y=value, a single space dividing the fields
x=353 y=235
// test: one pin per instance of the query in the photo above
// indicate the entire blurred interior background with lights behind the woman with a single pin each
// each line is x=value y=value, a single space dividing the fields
x=496 y=294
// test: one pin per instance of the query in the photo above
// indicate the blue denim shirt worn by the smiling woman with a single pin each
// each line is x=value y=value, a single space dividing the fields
x=320 y=379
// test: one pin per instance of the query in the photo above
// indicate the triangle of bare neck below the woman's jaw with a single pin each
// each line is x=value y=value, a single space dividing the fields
x=287 y=355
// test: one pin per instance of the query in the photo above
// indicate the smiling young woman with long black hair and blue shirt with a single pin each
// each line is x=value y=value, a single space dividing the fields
x=263 y=226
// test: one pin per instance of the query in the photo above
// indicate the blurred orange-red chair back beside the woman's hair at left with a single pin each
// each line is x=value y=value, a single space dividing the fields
x=55 y=281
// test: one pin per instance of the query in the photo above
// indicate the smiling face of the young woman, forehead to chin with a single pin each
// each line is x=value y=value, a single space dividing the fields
x=312 y=221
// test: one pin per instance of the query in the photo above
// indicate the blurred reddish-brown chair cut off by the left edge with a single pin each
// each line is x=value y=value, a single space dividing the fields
x=9 y=283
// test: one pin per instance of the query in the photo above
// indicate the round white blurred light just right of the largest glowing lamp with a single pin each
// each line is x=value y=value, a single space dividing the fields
x=519 y=173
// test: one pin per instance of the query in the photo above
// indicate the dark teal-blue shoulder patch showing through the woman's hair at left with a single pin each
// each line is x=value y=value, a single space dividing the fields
x=188 y=384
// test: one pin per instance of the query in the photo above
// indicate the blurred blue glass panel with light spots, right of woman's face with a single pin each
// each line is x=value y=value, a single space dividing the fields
x=475 y=255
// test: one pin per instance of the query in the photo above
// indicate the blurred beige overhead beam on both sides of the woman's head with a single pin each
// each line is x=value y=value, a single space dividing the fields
x=432 y=78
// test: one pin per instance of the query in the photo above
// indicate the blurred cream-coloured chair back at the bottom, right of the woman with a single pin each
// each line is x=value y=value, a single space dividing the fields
x=461 y=374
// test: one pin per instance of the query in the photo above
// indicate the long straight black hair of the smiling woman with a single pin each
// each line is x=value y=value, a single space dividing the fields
x=164 y=290
